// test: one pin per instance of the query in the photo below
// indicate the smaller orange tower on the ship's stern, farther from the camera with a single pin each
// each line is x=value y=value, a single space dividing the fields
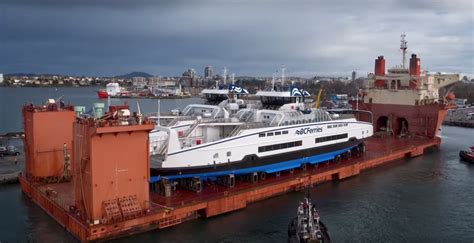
x=48 y=140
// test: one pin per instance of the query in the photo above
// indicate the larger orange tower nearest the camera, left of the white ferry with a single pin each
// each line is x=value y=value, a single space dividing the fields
x=111 y=171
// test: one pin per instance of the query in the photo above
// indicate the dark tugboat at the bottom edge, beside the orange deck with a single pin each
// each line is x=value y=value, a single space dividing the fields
x=307 y=226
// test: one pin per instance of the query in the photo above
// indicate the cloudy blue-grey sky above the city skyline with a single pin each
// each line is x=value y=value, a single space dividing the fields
x=250 y=37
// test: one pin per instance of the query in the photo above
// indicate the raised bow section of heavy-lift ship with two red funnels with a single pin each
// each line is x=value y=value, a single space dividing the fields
x=405 y=100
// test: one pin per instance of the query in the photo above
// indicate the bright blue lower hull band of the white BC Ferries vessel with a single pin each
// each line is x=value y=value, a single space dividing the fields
x=272 y=168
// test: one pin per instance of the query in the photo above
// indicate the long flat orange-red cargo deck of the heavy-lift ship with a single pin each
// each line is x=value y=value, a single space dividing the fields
x=57 y=198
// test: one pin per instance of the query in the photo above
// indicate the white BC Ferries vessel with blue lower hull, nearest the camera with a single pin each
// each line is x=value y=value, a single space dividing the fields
x=254 y=140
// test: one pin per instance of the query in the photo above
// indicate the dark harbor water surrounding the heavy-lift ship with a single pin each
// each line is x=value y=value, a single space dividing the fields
x=428 y=198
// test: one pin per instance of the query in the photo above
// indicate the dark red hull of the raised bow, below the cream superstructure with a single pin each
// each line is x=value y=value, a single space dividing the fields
x=422 y=120
